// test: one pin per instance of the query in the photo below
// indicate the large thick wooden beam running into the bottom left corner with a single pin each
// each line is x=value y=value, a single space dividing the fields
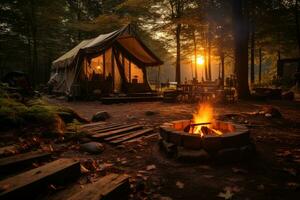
x=31 y=183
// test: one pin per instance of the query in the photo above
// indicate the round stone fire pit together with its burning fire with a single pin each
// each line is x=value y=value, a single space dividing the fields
x=204 y=138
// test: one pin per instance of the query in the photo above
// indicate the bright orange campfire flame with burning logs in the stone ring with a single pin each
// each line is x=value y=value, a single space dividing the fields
x=204 y=114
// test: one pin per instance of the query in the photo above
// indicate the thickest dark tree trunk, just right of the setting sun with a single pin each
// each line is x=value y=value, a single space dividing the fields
x=241 y=48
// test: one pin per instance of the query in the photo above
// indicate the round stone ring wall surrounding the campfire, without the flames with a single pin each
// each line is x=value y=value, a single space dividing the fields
x=234 y=142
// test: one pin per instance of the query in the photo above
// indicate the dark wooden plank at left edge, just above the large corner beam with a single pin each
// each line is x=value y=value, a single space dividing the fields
x=21 y=161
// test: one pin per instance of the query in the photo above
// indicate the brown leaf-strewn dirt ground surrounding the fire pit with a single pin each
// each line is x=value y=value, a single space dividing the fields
x=273 y=173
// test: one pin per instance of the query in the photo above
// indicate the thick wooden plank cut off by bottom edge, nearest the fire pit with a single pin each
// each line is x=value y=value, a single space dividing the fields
x=109 y=187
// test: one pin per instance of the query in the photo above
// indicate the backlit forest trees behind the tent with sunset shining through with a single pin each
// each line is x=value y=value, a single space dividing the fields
x=247 y=32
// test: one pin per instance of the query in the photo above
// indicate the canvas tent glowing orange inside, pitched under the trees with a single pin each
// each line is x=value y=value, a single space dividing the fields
x=113 y=62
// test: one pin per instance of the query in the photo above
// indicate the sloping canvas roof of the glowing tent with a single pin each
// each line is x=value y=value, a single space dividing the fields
x=125 y=38
